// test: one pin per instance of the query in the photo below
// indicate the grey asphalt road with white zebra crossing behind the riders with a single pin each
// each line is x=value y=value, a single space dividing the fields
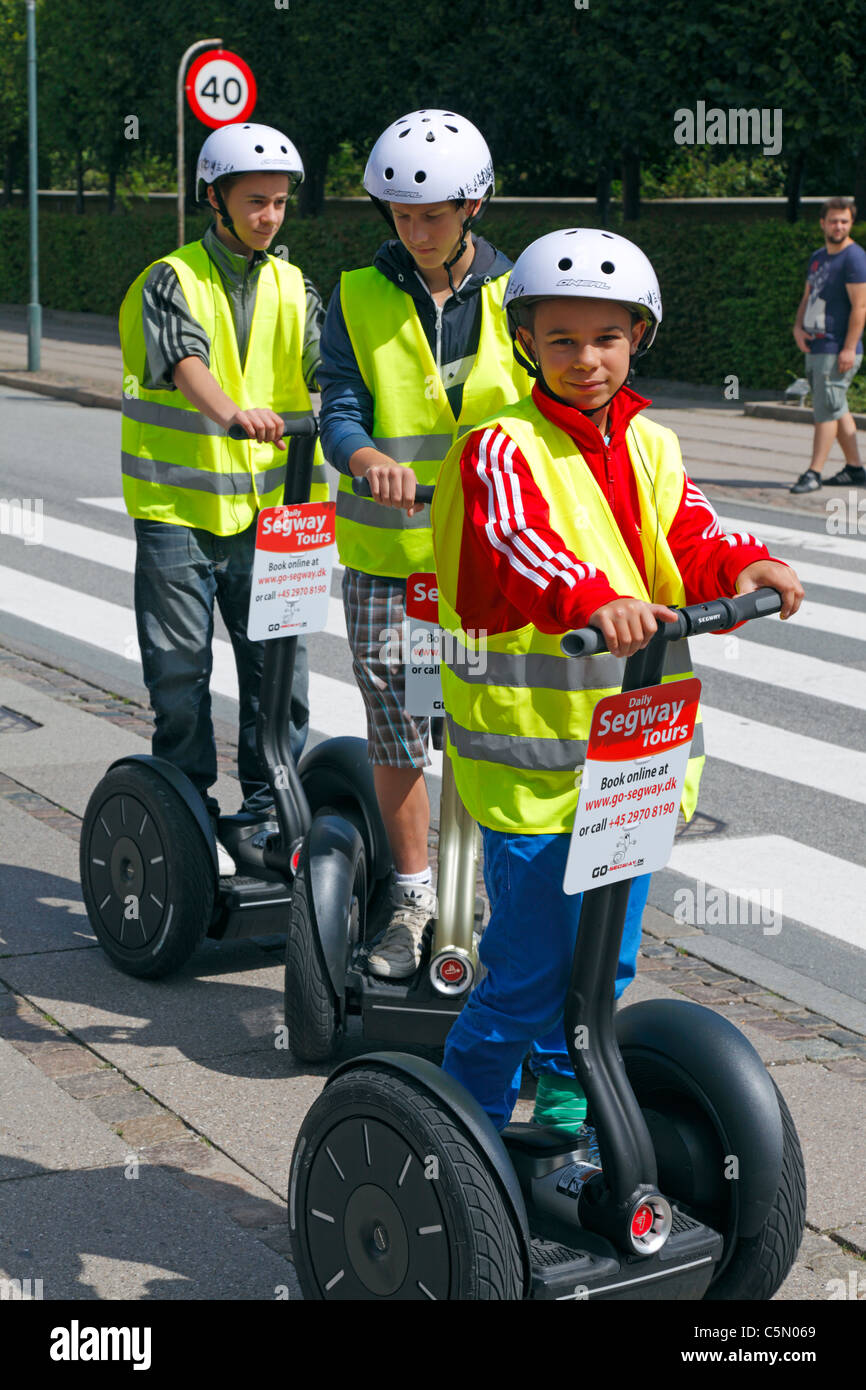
x=782 y=807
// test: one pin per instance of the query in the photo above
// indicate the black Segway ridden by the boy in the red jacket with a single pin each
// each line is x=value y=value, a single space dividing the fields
x=690 y=1188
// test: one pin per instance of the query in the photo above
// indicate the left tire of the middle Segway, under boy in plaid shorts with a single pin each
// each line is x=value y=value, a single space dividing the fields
x=312 y=1011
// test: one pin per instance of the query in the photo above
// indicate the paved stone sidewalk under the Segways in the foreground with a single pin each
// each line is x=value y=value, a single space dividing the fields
x=148 y=1128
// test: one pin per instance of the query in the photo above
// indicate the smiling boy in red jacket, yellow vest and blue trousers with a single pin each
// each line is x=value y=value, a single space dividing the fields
x=569 y=511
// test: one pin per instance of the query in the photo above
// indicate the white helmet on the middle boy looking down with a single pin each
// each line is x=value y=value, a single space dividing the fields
x=430 y=158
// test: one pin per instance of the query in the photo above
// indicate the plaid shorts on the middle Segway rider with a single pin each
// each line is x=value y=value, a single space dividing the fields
x=375 y=622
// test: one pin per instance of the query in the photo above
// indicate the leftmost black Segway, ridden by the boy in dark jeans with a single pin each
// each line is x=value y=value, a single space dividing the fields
x=148 y=854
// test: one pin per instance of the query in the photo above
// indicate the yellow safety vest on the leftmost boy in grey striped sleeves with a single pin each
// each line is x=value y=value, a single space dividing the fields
x=180 y=466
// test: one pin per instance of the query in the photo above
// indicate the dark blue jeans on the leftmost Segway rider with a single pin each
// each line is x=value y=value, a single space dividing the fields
x=179 y=573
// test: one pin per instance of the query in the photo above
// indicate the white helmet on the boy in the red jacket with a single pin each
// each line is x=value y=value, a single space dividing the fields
x=586 y=263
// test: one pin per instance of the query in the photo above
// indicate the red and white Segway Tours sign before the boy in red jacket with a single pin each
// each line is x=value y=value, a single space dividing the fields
x=632 y=785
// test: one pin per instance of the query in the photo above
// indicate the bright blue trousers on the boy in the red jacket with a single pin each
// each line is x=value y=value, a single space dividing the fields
x=528 y=950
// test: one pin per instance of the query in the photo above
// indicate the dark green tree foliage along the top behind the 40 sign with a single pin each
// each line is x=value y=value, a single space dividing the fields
x=571 y=98
